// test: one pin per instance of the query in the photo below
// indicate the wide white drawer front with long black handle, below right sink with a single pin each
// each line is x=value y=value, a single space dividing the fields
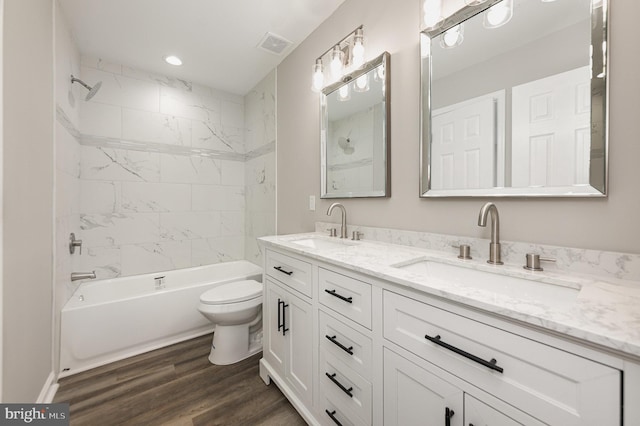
x=550 y=384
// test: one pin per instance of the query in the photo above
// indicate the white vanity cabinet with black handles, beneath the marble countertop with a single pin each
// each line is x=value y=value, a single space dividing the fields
x=350 y=349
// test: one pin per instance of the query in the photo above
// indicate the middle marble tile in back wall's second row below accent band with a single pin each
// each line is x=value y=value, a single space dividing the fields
x=155 y=197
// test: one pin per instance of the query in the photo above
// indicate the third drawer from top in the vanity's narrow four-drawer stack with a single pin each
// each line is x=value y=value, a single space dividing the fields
x=346 y=388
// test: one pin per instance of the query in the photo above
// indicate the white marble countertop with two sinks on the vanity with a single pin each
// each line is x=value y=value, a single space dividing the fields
x=596 y=310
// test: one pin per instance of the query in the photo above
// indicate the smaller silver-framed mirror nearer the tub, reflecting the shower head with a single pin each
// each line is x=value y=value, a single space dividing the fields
x=354 y=133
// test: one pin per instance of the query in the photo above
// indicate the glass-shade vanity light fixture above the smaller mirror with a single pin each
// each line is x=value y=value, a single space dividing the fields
x=346 y=55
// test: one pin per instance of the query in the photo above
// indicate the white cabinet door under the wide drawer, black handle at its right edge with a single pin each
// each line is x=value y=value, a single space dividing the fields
x=414 y=396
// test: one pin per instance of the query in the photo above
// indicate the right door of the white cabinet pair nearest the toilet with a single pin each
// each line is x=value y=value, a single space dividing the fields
x=298 y=323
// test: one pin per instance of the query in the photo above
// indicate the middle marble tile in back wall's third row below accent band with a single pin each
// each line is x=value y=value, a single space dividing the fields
x=178 y=226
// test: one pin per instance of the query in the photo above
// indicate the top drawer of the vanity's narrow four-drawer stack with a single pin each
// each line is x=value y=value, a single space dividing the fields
x=345 y=295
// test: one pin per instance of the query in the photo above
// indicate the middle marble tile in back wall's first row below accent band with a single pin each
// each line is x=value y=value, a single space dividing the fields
x=189 y=169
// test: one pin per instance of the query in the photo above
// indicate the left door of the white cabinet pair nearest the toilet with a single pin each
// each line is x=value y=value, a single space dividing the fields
x=275 y=349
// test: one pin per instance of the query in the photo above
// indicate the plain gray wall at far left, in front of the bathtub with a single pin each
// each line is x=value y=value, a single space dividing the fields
x=27 y=198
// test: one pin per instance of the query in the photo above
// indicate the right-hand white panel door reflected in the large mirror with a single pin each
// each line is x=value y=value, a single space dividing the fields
x=551 y=131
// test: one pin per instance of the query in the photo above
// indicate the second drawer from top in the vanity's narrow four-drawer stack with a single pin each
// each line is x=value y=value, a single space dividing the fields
x=346 y=344
